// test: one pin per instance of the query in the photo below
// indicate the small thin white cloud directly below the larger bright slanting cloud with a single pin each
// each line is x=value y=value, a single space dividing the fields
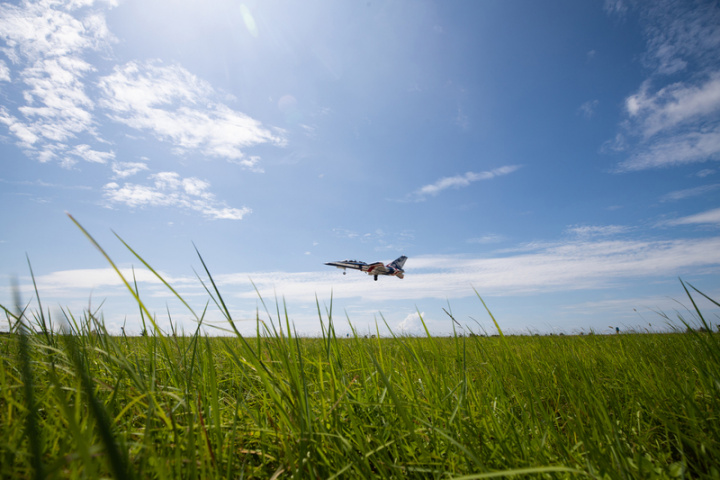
x=170 y=190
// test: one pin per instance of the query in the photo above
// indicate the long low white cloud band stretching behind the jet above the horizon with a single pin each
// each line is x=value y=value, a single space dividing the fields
x=549 y=268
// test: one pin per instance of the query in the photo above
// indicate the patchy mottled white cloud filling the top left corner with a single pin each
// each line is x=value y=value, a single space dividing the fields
x=46 y=41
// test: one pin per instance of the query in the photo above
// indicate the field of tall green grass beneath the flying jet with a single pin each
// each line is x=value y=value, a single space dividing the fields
x=79 y=404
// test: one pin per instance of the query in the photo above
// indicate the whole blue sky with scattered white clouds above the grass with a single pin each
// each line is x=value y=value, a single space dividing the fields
x=557 y=159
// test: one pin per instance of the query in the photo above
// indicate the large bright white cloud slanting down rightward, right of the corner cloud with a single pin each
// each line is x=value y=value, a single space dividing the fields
x=176 y=106
